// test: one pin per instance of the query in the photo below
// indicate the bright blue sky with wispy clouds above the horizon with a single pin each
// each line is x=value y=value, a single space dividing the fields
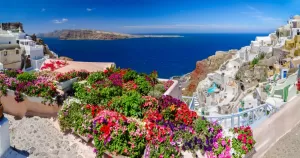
x=150 y=16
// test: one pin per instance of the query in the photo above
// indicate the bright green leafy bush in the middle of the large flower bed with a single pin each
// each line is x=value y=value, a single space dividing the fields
x=129 y=104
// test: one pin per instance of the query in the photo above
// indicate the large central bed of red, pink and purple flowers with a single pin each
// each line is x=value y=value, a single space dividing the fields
x=126 y=114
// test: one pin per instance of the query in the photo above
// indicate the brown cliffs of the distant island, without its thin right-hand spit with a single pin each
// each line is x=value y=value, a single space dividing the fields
x=86 y=34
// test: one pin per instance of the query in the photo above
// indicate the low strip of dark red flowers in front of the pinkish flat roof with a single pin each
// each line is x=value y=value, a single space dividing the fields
x=82 y=75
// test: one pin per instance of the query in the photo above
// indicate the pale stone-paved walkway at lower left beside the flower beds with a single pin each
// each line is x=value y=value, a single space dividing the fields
x=37 y=137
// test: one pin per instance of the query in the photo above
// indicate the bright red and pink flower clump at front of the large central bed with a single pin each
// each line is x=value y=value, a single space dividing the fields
x=113 y=132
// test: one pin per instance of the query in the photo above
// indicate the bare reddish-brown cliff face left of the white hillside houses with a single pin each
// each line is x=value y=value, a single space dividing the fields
x=205 y=67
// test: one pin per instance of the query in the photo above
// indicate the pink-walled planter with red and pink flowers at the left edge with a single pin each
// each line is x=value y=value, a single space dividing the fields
x=28 y=94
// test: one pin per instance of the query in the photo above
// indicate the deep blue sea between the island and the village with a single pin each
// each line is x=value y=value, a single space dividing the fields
x=169 y=56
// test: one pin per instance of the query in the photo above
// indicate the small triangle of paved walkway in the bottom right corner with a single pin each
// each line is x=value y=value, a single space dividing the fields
x=287 y=147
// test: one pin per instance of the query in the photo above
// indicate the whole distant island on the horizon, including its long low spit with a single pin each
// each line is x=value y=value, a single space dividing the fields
x=96 y=35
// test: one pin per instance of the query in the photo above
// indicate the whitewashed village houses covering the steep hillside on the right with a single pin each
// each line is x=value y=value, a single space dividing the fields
x=265 y=72
